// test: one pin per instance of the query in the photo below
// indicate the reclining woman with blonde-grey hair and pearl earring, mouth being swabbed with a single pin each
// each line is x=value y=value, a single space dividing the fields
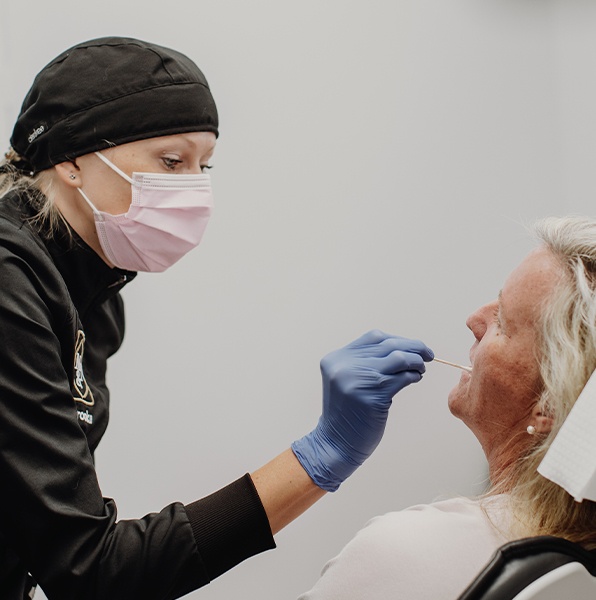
x=534 y=350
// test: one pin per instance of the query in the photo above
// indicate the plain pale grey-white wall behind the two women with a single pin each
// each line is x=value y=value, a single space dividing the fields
x=376 y=164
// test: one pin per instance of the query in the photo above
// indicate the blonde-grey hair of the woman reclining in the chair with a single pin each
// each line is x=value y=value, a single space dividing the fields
x=566 y=354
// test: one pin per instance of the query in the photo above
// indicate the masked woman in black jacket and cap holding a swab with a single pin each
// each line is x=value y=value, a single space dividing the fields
x=106 y=176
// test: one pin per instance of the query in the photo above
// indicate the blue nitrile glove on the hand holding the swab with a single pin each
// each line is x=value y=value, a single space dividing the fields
x=359 y=382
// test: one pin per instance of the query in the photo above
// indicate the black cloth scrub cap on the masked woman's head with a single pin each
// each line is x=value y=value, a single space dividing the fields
x=109 y=91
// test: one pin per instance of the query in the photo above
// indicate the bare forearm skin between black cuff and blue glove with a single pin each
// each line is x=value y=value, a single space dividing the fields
x=285 y=489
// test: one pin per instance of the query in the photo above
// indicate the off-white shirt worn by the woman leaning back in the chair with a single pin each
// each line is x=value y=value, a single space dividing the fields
x=426 y=552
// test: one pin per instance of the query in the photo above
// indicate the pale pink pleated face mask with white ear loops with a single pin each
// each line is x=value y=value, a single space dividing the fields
x=167 y=217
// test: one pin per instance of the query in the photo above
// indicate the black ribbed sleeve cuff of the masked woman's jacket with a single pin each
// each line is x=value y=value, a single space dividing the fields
x=230 y=526
